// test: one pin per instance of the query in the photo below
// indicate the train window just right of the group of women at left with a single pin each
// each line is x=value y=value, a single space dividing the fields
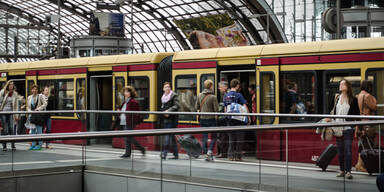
x=65 y=95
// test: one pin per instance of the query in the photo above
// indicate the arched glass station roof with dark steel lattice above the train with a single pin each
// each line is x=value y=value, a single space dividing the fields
x=154 y=27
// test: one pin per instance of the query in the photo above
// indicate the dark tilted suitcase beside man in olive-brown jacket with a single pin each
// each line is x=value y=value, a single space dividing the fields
x=190 y=144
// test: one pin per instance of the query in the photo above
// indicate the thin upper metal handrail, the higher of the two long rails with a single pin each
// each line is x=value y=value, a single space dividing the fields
x=202 y=113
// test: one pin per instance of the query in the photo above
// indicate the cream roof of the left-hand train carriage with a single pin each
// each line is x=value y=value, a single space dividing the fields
x=86 y=61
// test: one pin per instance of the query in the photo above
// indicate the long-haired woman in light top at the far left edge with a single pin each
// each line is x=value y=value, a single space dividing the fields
x=9 y=102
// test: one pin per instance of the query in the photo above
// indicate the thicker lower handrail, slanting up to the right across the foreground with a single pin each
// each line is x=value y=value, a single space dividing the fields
x=157 y=132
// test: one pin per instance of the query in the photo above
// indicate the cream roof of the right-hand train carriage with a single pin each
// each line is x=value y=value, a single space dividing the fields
x=272 y=50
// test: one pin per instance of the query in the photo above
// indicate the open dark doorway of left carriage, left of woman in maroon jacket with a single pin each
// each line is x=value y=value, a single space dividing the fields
x=100 y=98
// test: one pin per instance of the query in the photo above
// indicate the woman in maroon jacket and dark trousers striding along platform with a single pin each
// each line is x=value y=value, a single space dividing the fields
x=130 y=121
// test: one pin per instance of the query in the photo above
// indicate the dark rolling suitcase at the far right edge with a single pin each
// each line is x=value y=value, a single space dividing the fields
x=371 y=158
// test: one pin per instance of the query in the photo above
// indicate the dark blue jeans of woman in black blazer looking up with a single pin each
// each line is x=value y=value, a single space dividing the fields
x=344 y=149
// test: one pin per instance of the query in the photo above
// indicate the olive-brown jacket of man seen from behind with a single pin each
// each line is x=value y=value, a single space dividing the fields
x=210 y=103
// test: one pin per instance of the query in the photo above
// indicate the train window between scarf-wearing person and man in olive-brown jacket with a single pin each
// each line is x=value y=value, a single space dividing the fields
x=186 y=90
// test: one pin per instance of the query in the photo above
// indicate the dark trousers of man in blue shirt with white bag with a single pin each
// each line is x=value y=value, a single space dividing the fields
x=236 y=140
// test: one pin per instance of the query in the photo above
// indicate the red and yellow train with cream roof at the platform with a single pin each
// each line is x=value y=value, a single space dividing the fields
x=95 y=83
